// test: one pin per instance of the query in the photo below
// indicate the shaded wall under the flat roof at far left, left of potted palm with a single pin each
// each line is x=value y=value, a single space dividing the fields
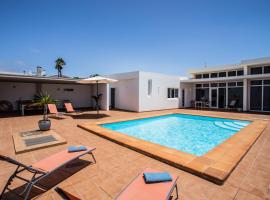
x=12 y=91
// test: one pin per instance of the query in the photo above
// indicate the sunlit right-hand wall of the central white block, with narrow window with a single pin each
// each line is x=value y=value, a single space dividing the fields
x=158 y=99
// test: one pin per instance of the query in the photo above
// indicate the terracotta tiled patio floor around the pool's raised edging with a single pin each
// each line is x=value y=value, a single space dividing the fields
x=117 y=166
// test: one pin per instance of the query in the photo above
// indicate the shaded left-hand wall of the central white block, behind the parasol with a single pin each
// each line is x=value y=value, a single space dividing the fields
x=126 y=91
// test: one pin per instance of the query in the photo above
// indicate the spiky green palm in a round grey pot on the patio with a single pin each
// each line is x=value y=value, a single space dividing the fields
x=43 y=100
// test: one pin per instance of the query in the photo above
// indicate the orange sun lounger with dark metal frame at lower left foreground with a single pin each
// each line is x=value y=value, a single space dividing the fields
x=42 y=168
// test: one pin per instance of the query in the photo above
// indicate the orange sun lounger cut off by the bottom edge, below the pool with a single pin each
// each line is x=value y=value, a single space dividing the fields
x=139 y=190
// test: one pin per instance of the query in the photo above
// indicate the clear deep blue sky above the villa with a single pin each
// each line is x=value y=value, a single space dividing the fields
x=117 y=36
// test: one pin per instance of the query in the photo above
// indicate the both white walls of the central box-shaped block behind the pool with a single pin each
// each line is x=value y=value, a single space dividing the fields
x=145 y=91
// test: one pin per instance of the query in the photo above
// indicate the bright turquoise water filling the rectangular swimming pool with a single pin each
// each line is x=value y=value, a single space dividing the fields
x=188 y=133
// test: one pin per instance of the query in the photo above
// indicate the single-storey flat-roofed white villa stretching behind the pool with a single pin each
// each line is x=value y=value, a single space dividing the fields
x=244 y=87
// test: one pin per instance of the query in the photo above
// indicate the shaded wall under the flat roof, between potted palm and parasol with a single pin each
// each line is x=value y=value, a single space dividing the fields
x=80 y=96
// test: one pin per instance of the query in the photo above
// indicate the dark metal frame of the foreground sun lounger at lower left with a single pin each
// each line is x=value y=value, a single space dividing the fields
x=37 y=174
